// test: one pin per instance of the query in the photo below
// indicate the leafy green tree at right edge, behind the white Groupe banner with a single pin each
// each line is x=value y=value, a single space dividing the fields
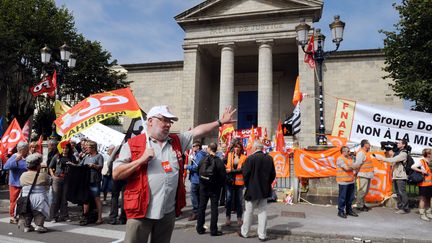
x=408 y=53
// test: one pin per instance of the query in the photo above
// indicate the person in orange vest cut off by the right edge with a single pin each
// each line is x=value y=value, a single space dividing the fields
x=425 y=187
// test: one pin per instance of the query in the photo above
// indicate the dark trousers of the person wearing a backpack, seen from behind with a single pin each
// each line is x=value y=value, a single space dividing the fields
x=205 y=195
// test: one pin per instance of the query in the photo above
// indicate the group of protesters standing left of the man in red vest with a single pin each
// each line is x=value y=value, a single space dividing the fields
x=72 y=175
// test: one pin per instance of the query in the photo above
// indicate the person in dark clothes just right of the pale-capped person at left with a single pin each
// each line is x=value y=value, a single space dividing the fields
x=58 y=169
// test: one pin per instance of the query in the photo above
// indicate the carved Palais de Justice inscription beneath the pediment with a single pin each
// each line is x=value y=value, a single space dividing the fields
x=245 y=28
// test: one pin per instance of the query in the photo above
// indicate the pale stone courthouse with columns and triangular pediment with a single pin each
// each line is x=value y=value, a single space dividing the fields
x=244 y=53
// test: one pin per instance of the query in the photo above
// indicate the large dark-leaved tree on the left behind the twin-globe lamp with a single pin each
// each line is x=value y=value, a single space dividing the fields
x=25 y=27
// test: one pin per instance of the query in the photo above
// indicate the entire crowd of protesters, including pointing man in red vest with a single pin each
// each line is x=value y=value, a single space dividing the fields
x=222 y=175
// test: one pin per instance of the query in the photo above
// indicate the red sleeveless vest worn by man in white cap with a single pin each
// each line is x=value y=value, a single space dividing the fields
x=136 y=195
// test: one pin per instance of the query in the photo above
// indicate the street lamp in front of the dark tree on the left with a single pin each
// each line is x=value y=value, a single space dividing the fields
x=66 y=56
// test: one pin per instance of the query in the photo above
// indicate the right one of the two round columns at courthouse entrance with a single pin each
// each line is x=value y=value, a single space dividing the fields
x=265 y=85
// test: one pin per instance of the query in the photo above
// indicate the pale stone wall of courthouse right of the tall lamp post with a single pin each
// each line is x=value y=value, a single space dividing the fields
x=358 y=76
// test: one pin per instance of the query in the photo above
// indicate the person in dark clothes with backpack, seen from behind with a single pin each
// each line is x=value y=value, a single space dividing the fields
x=210 y=189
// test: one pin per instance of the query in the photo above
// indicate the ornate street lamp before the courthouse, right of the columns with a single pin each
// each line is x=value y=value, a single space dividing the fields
x=319 y=55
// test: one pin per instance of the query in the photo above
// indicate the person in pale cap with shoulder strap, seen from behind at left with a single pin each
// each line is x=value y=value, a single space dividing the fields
x=38 y=197
